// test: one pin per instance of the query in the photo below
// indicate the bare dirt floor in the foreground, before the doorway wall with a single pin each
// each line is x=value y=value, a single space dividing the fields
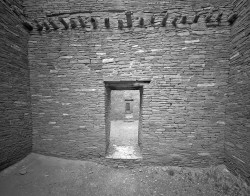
x=39 y=175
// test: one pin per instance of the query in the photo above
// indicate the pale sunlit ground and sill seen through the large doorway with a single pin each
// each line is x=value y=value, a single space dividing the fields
x=124 y=140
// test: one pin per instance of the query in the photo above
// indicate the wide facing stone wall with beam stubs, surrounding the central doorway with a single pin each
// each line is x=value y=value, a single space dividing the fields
x=183 y=107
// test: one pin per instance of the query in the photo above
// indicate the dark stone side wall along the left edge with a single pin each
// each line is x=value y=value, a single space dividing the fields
x=15 y=116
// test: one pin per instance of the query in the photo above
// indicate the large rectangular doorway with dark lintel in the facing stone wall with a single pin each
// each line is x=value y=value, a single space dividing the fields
x=123 y=120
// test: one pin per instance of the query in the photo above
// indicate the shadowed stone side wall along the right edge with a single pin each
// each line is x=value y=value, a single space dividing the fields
x=237 y=135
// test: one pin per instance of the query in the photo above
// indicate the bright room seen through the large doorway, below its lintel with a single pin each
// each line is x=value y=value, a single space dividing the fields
x=124 y=124
